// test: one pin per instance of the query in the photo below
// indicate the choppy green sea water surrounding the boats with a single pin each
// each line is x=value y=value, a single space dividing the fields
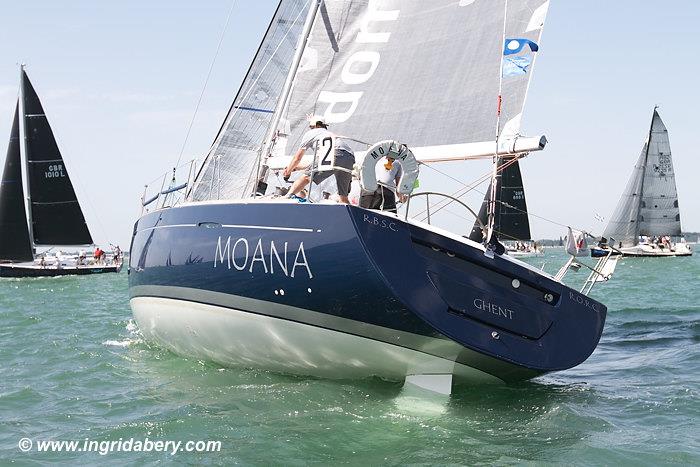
x=73 y=366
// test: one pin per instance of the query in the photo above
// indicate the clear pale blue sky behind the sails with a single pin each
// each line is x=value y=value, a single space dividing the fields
x=120 y=80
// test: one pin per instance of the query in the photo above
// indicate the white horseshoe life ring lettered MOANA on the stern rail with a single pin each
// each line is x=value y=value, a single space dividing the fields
x=391 y=150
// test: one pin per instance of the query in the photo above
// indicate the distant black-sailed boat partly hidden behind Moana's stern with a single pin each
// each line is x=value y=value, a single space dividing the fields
x=511 y=219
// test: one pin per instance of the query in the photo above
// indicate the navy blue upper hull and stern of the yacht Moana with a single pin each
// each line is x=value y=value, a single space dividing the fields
x=359 y=265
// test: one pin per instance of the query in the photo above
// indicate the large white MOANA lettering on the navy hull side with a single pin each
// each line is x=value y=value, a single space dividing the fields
x=267 y=257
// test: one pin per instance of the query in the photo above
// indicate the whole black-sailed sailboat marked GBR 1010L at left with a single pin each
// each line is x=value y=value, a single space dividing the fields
x=53 y=217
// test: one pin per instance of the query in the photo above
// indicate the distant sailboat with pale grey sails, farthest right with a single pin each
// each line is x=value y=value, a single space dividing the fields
x=647 y=218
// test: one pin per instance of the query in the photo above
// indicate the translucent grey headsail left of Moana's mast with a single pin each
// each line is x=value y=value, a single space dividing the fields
x=232 y=158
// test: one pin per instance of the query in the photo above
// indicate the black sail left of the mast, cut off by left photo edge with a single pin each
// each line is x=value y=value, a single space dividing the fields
x=15 y=244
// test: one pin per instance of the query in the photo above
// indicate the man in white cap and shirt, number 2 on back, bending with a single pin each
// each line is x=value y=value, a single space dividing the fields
x=330 y=151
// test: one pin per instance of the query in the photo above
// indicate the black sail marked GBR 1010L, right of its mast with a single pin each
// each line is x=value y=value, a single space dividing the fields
x=56 y=215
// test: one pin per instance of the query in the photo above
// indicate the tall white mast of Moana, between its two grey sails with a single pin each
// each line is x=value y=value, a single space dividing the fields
x=286 y=90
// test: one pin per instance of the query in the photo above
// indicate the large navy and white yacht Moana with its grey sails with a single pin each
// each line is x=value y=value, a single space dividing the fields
x=237 y=275
